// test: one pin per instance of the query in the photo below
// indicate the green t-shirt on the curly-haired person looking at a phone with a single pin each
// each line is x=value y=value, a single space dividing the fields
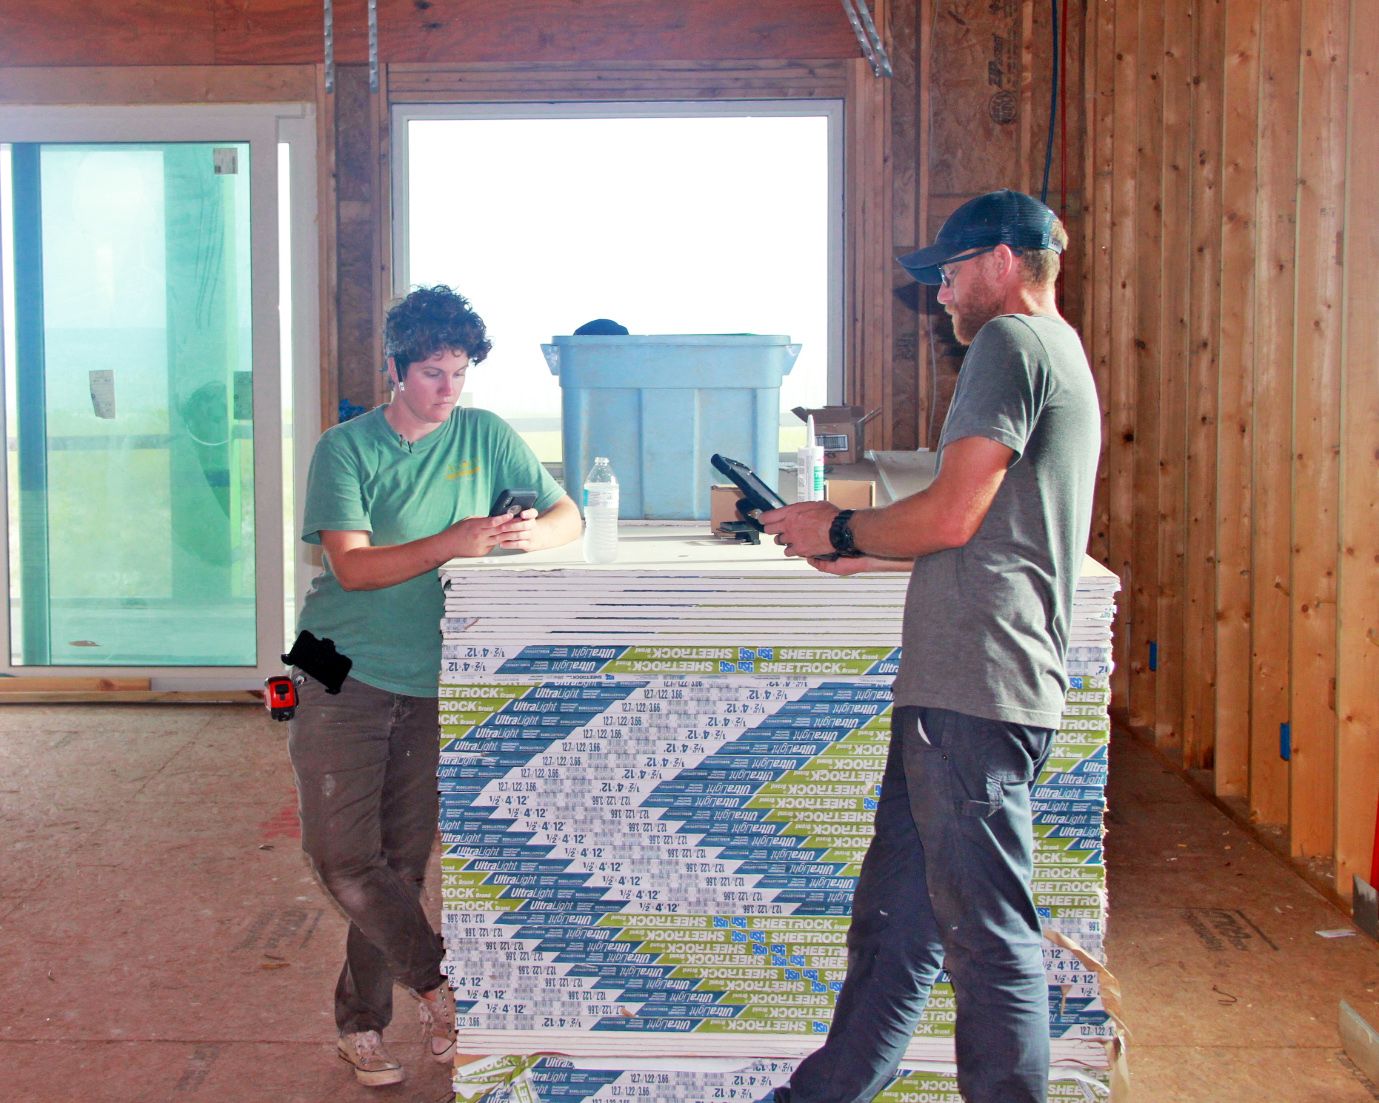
x=365 y=478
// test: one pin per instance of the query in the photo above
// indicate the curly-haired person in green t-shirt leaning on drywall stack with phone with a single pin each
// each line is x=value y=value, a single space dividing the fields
x=391 y=497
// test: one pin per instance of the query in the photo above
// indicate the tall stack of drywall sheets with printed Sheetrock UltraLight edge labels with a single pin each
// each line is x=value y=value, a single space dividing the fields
x=656 y=795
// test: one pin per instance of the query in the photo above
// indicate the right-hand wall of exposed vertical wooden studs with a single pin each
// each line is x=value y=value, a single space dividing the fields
x=1275 y=501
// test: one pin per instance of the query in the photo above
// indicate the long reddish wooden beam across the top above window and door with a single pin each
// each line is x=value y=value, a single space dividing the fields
x=288 y=32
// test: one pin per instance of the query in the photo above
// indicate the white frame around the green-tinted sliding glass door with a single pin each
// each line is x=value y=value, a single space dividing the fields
x=267 y=129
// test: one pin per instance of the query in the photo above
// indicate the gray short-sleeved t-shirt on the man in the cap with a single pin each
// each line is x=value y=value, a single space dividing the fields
x=987 y=625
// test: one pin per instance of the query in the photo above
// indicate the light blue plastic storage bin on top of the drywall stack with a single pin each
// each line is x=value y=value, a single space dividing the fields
x=658 y=407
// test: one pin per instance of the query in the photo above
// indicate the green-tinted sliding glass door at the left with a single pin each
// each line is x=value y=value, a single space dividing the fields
x=145 y=387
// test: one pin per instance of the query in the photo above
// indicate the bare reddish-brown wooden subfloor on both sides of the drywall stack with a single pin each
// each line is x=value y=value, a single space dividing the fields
x=162 y=940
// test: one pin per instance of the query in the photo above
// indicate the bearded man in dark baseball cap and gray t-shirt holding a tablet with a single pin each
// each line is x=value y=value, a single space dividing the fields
x=994 y=548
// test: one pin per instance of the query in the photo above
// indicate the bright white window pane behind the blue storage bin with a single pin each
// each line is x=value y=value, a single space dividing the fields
x=667 y=224
